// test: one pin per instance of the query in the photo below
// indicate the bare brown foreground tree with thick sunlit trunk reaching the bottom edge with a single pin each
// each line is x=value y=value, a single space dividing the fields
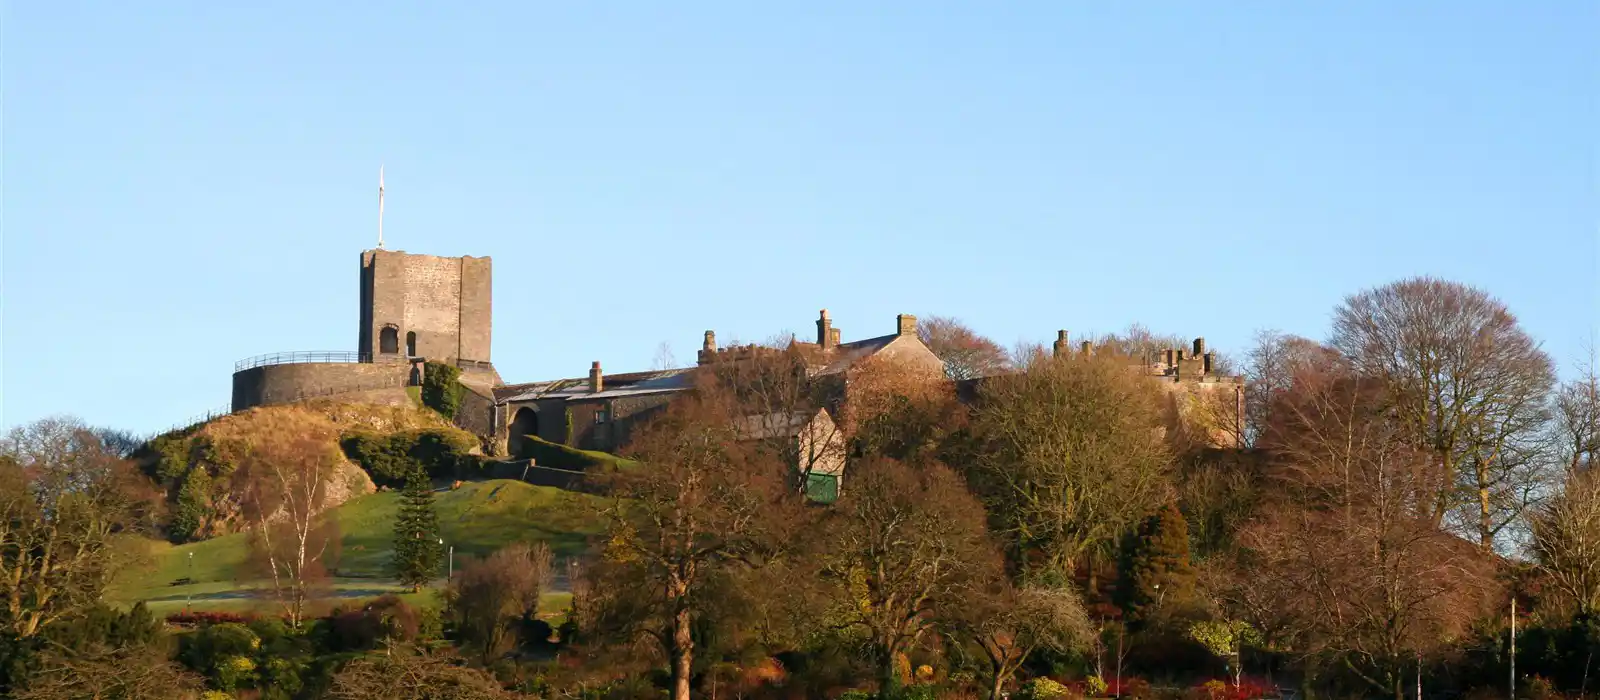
x=702 y=499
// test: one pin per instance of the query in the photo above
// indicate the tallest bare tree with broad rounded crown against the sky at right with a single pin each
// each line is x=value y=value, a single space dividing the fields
x=1468 y=383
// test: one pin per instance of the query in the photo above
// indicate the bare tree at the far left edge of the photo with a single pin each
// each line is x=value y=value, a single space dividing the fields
x=66 y=504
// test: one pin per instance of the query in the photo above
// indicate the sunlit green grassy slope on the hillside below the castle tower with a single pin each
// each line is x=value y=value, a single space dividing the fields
x=478 y=519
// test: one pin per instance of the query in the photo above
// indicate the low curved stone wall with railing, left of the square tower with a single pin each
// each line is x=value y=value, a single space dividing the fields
x=278 y=384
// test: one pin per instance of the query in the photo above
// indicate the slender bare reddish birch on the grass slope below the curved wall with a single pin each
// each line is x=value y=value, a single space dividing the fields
x=284 y=480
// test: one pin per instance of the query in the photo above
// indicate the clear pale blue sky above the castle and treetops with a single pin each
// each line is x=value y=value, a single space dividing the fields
x=188 y=185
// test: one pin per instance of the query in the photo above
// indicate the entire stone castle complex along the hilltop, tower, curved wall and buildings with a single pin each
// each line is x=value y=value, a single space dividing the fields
x=418 y=309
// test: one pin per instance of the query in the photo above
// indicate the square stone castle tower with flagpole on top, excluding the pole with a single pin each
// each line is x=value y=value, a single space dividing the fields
x=425 y=308
